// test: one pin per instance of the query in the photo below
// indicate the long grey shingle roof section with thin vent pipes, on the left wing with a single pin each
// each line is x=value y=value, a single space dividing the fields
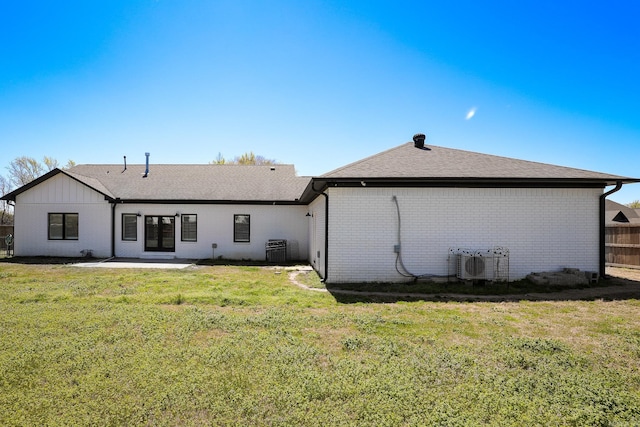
x=206 y=183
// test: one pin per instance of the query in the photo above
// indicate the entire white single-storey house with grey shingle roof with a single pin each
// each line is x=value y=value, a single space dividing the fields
x=401 y=214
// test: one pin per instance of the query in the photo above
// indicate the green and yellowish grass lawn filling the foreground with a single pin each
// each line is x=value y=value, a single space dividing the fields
x=233 y=345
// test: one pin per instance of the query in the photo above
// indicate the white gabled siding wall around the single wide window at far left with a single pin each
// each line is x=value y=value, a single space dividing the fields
x=61 y=194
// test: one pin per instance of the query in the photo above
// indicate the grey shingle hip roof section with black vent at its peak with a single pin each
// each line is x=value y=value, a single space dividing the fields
x=407 y=165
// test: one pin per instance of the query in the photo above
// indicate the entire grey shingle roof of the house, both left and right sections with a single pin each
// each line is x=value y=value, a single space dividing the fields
x=400 y=165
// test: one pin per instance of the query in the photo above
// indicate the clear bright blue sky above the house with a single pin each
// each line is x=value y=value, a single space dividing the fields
x=321 y=83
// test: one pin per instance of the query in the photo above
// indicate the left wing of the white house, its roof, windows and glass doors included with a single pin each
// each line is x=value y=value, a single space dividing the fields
x=184 y=211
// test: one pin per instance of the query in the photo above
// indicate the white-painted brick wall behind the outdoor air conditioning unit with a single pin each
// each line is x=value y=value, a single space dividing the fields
x=544 y=229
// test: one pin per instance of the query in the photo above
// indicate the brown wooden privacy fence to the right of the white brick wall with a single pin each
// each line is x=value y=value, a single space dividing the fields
x=622 y=246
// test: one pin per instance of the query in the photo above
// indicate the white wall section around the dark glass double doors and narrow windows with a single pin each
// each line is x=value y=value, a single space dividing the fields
x=216 y=224
